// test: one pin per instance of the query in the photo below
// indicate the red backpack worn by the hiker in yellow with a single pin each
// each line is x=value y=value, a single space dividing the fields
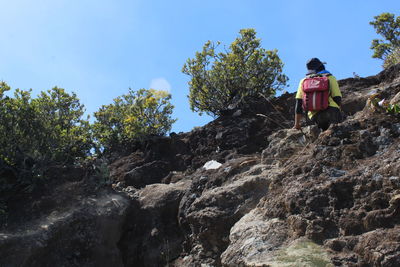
x=315 y=93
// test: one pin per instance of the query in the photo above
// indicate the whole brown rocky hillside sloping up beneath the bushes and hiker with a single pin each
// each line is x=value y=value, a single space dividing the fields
x=272 y=196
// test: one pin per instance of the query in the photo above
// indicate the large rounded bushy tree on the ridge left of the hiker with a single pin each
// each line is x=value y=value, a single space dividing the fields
x=245 y=69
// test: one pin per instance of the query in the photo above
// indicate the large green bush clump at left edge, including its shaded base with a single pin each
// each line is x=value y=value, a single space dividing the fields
x=38 y=133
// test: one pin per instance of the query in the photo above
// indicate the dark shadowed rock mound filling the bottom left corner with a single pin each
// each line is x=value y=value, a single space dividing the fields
x=84 y=233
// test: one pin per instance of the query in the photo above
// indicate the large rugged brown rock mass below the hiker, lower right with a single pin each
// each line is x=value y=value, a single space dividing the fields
x=345 y=184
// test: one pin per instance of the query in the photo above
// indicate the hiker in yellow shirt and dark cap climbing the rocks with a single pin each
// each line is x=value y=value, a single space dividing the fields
x=318 y=95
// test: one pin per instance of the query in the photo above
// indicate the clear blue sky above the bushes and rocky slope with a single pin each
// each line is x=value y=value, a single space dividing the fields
x=100 y=48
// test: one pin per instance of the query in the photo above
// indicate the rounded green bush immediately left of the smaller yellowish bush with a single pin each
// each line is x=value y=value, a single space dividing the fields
x=63 y=134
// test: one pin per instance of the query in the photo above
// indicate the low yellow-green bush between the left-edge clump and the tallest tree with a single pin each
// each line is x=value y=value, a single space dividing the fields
x=132 y=117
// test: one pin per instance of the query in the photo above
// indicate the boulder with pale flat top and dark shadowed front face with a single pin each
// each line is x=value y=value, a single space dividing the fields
x=152 y=235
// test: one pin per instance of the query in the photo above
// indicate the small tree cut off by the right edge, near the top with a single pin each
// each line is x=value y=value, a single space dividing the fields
x=388 y=26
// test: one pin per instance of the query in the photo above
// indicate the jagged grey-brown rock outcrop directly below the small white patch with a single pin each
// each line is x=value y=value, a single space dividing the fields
x=215 y=201
